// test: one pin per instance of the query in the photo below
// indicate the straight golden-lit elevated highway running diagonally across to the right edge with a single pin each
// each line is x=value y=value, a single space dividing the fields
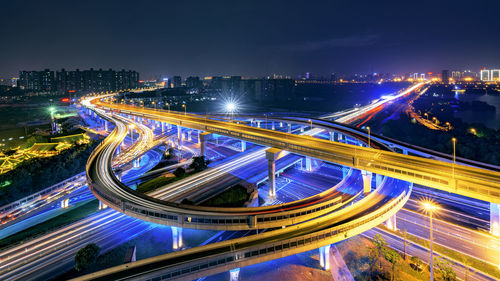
x=455 y=178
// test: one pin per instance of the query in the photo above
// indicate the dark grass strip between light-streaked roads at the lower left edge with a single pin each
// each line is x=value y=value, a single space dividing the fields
x=69 y=217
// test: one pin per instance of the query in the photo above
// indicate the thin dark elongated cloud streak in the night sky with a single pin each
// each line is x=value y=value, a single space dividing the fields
x=351 y=41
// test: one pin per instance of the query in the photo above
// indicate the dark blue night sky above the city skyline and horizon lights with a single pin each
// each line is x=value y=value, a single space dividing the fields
x=251 y=38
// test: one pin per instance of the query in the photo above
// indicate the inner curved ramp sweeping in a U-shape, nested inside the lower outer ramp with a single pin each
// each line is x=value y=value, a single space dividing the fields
x=110 y=190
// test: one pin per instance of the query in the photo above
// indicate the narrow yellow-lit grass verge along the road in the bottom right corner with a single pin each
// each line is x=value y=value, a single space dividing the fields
x=452 y=254
